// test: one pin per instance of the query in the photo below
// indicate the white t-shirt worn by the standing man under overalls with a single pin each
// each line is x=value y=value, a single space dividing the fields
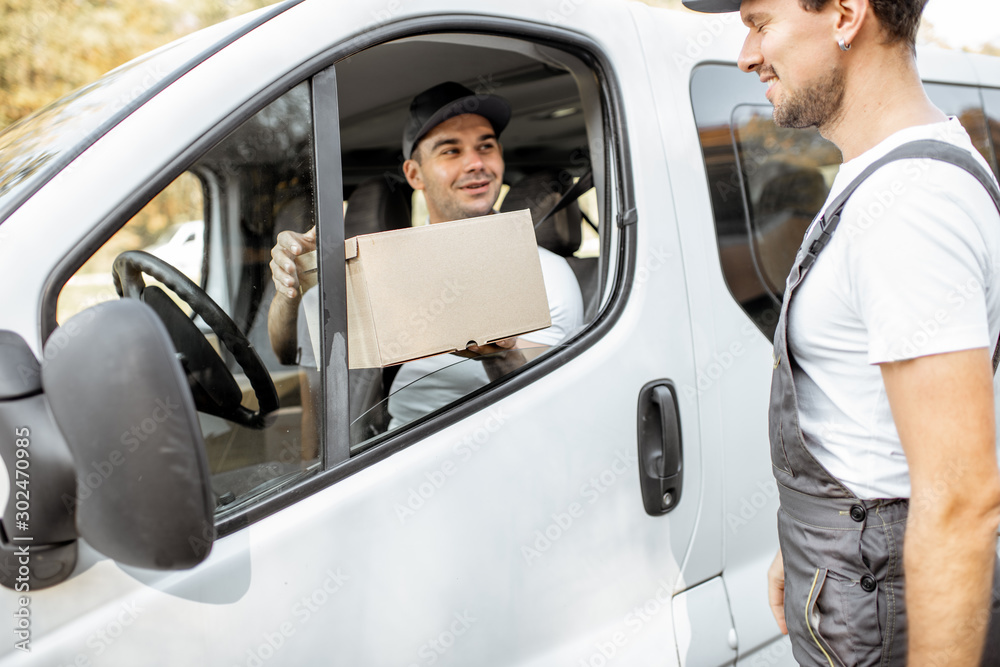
x=911 y=271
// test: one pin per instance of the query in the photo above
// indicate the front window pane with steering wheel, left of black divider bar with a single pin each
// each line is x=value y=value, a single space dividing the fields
x=215 y=224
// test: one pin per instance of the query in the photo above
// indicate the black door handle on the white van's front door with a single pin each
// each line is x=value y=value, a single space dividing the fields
x=661 y=456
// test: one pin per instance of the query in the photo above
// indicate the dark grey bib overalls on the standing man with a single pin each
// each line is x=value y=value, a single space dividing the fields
x=844 y=589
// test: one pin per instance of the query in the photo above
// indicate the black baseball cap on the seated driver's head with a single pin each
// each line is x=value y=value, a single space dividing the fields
x=447 y=100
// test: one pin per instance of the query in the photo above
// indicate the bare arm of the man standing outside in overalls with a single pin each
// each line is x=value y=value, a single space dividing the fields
x=943 y=409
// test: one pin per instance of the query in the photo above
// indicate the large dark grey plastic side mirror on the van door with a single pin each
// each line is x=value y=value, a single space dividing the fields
x=120 y=400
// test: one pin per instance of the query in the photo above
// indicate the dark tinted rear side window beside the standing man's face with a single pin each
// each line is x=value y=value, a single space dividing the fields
x=766 y=185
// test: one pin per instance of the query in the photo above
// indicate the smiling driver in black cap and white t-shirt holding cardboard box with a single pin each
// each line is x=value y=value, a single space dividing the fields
x=453 y=154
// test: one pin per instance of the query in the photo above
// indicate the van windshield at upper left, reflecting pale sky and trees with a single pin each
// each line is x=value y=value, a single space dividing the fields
x=33 y=149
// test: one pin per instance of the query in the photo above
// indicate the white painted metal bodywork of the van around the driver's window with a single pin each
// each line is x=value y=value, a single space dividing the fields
x=515 y=535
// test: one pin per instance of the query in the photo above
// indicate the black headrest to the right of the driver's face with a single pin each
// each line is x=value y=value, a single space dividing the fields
x=538 y=193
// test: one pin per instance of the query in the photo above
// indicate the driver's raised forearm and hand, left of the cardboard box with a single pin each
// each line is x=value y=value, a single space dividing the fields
x=283 y=313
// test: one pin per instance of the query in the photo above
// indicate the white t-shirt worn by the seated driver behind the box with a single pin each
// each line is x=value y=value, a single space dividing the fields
x=446 y=377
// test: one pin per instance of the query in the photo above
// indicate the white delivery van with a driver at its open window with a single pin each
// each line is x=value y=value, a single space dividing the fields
x=175 y=495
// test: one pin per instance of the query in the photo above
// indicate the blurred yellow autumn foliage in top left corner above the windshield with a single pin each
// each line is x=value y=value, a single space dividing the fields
x=51 y=47
